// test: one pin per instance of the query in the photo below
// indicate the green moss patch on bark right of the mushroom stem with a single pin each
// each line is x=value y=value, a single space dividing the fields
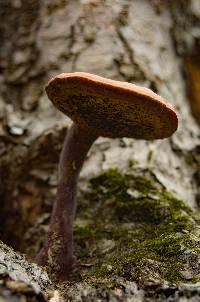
x=150 y=230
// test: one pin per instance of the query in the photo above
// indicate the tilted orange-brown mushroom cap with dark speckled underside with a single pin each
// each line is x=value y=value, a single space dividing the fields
x=112 y=108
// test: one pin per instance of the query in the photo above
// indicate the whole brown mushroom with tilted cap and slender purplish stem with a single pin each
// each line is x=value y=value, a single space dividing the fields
x=98 y=107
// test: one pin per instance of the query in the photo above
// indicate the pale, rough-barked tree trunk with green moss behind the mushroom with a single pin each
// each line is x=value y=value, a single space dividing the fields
x=137 y=225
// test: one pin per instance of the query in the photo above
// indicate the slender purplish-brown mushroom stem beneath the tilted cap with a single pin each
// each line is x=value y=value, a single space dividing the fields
x=58 y=249
